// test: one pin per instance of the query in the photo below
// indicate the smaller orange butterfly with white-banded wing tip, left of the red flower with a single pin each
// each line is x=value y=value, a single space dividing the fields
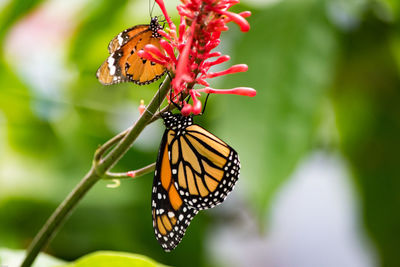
x=124 y=65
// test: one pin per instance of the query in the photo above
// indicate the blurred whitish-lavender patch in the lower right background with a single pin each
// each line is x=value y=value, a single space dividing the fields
x=314 y=221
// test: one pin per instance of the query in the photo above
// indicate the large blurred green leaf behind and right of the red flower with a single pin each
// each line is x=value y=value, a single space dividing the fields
x=290 y=50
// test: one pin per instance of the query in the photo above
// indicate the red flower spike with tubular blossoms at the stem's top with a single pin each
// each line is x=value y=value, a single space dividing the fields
x=199 y=31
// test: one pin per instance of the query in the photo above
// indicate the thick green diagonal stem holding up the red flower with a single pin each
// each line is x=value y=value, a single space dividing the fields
x=99 y=168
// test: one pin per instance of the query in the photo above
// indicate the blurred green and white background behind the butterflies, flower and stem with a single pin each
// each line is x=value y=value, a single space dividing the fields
x=319 y=144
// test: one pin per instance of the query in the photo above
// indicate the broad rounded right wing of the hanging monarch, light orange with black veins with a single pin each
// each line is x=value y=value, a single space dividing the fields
x=204 y=168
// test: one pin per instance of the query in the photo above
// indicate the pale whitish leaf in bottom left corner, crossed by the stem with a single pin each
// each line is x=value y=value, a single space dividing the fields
x=11 y=258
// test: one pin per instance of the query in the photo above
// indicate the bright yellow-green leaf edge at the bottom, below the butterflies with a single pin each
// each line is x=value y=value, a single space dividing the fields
x=114 y=259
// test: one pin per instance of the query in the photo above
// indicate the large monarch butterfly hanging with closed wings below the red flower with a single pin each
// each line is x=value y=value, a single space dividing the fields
x=195 y=170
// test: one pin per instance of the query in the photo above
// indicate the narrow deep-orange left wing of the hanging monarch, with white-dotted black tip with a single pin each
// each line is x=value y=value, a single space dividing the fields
x=171 y=216
